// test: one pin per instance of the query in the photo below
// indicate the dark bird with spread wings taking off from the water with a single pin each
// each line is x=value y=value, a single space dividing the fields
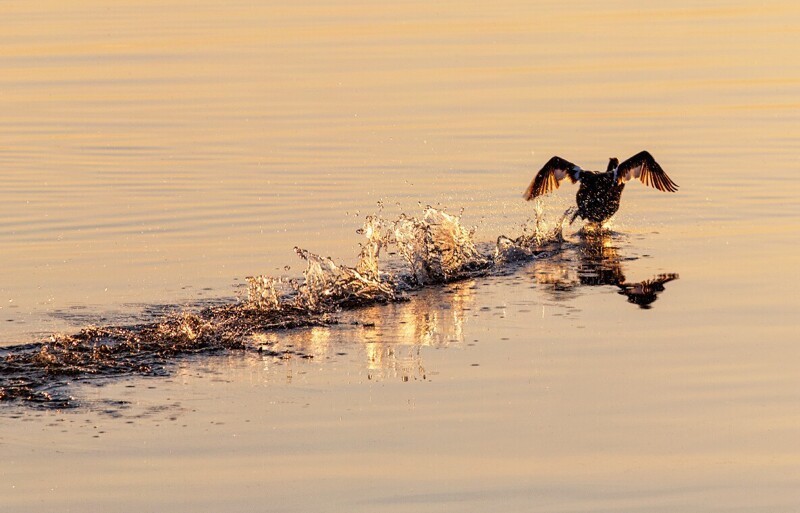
x=599 y=192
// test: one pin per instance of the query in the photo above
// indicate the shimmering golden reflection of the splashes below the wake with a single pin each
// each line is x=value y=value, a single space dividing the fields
x=386 y=338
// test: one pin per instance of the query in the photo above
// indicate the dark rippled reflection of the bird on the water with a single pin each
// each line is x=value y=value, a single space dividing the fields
x=595 y=260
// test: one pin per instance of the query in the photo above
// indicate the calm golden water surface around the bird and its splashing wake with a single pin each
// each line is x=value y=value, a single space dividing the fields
x=154 y=156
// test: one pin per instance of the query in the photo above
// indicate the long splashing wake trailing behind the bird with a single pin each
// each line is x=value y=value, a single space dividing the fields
x=434 y=248
